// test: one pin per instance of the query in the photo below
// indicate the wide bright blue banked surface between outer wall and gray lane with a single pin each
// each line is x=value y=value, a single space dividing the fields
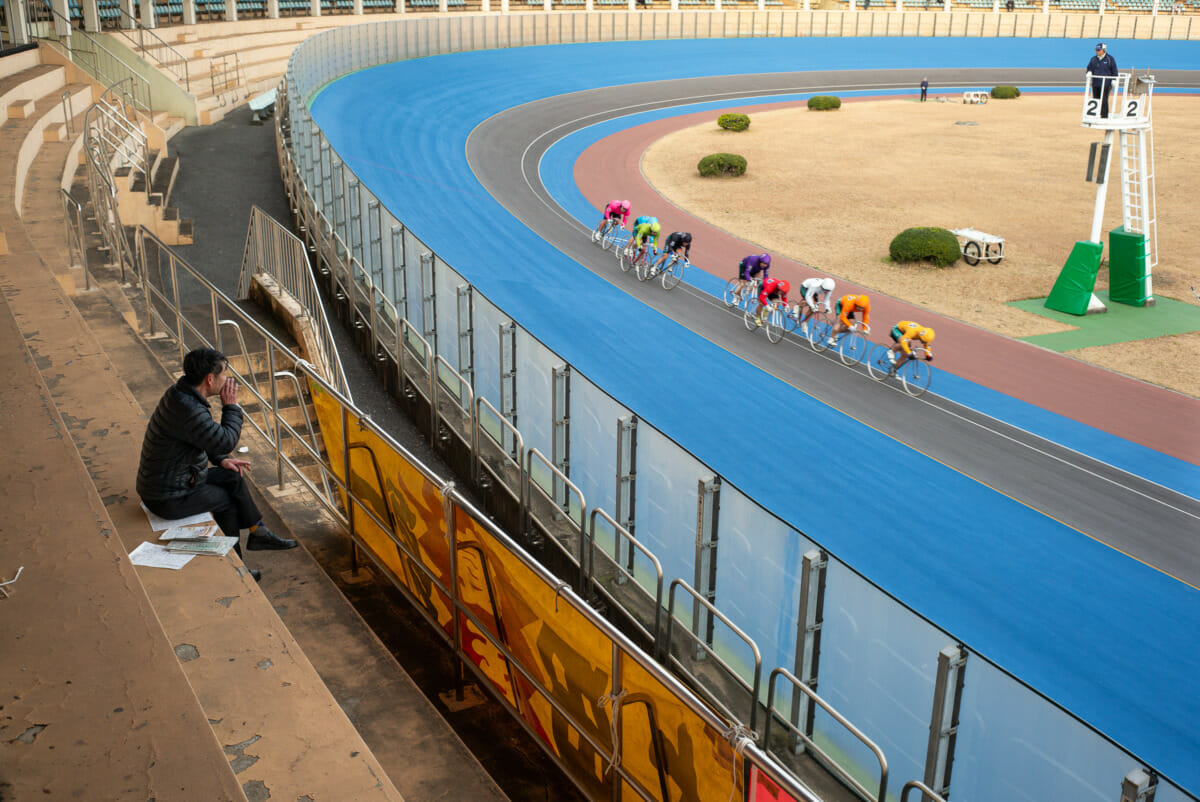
x=1105 y=637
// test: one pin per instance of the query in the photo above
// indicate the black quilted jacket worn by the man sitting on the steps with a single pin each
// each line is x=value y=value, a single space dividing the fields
x=182 y=441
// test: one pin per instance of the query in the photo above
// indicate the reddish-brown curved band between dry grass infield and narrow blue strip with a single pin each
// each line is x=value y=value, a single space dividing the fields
x=1143 y=414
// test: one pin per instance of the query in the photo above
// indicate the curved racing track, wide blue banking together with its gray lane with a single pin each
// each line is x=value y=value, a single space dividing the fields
x=1108 y=638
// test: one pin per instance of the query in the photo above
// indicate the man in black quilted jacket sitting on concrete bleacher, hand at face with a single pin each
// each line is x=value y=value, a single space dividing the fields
x=181 y=442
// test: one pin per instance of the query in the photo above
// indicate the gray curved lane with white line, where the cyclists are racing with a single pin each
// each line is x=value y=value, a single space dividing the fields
x=1153 y=524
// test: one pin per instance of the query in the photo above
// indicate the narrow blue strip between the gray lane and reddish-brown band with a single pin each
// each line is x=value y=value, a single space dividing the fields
x=557 y=172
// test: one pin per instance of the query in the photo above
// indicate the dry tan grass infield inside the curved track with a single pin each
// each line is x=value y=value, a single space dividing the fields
x=833 y=189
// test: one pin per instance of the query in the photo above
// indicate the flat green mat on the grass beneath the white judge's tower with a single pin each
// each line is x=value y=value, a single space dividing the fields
x=1121 y=324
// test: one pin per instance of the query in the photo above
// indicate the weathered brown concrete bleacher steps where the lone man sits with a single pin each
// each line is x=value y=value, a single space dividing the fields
x=153 y=684
